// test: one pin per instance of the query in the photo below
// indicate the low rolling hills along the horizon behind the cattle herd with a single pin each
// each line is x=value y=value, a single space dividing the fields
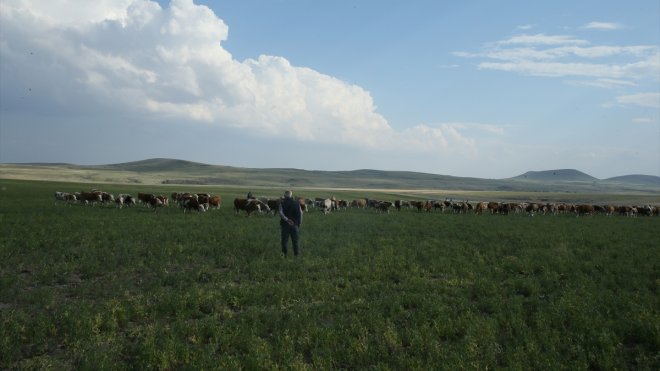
x=180 y=172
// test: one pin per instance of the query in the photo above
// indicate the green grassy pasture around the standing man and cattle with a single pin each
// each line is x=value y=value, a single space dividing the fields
x=102 y=288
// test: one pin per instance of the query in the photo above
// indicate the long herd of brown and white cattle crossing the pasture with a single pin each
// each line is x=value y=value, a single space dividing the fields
x=201 y=202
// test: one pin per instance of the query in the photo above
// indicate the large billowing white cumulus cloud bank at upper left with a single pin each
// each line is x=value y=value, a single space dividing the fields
x=135 y=58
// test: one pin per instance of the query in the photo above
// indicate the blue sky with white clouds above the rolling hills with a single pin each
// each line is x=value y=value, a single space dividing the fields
x=487 y=89
